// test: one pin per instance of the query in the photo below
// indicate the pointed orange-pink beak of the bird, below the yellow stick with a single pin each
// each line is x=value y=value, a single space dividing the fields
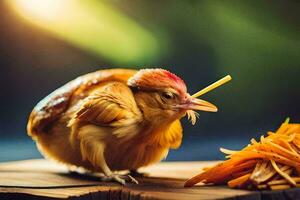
x=192 y=103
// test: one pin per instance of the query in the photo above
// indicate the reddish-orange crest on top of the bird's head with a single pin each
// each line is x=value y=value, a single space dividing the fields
x=157 y=79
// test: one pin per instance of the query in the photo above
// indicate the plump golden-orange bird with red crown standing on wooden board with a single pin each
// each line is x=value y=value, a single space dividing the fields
x=114 y=119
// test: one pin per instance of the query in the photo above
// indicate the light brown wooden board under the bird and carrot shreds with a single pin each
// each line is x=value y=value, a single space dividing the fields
x=41 y=179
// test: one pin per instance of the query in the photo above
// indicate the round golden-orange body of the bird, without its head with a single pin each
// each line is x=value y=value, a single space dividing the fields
x=131 y=142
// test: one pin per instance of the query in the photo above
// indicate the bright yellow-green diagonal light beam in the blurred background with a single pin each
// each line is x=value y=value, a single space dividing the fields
x=92 y=26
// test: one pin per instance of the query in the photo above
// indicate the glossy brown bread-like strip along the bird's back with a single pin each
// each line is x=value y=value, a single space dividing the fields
x=52 y=107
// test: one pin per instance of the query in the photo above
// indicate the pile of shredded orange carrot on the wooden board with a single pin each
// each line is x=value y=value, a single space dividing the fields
x=271 y=163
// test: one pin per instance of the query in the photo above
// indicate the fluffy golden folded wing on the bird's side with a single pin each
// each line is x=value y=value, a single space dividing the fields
x=112 y=105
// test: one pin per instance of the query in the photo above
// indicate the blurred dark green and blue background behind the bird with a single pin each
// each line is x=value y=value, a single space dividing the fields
x=257 y=42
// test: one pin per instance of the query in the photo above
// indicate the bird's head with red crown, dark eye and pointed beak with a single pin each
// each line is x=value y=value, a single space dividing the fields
x=162 y=96
